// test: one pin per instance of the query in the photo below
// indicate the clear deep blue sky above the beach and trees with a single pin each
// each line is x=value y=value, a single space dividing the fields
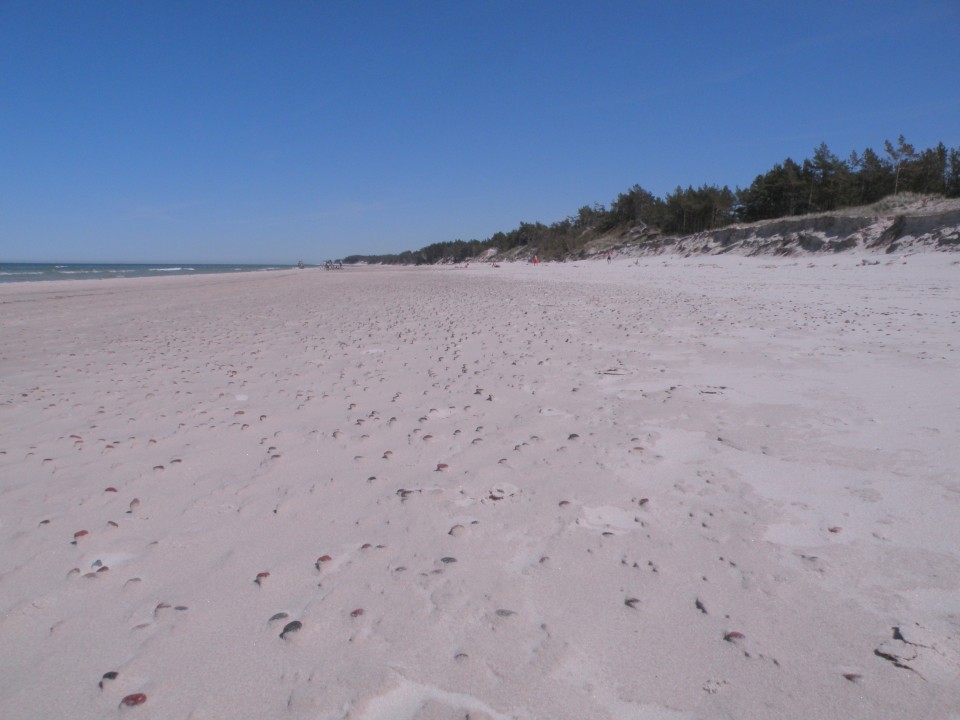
x=240 y=131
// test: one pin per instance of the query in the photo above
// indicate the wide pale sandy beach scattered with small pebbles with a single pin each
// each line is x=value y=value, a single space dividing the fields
x=765 y=447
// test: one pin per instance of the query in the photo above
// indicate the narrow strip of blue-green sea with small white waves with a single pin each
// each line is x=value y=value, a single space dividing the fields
x=21 y=272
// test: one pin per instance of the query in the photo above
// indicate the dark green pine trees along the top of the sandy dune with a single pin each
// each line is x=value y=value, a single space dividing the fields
x=822 y=183
